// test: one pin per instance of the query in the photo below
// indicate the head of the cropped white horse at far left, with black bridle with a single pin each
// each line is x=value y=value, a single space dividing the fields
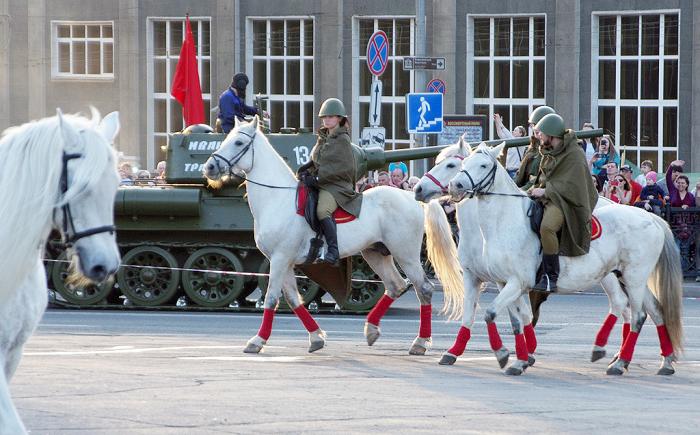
x=88 y=185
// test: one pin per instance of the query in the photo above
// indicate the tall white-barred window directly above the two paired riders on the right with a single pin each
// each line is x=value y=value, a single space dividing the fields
x=505 y=68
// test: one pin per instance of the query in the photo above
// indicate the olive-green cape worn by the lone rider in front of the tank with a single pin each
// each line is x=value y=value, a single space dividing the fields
x=334 y=165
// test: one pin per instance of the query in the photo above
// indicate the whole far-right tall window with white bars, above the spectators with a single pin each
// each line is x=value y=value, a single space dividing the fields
x=635 y=84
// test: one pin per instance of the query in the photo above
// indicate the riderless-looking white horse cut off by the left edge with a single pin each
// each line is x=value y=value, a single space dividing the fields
x=58 y=172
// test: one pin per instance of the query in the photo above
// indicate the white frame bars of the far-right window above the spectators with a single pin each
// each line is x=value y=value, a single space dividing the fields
x=639 y=103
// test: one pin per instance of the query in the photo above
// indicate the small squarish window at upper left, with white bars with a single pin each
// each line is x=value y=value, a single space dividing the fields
x=82 y=50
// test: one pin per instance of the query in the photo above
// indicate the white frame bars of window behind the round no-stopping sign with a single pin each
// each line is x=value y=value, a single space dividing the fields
x=359 y=60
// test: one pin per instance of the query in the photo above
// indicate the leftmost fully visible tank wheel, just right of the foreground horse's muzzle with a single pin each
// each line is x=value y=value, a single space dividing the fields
x=152 y=278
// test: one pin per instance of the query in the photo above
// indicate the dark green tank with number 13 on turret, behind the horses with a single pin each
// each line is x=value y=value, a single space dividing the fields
x=183 y=239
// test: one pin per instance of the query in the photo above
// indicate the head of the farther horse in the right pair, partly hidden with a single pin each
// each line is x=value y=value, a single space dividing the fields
x=448 y=163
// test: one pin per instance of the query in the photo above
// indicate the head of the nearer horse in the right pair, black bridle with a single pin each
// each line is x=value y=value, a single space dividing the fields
x=478 y=172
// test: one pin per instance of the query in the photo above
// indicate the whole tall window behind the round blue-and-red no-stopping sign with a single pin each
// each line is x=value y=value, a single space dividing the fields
x=396 y=82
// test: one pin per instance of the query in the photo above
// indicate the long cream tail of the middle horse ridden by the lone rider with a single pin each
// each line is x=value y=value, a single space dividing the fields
x=442 y=254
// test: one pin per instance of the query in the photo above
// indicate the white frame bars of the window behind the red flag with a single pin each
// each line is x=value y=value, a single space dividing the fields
x=152 y=96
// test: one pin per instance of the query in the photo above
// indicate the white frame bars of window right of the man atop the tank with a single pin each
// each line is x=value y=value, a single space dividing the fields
x=283 y=98
